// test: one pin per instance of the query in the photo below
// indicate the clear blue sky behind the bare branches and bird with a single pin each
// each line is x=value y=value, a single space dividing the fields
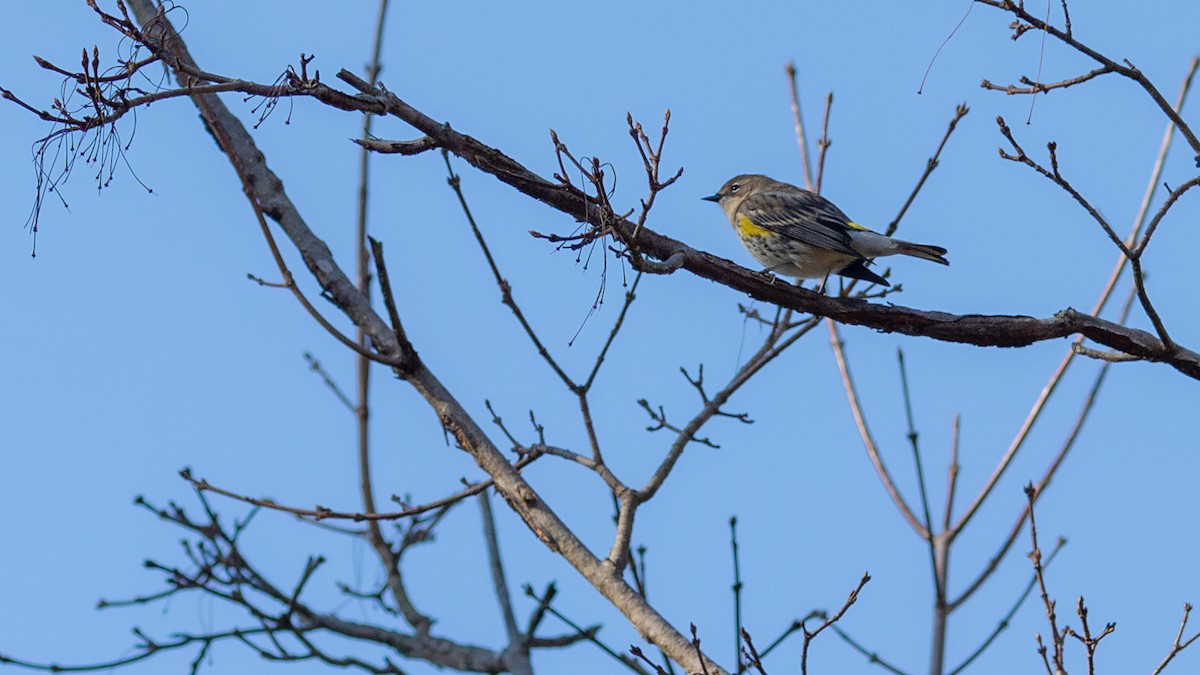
x=134 y=345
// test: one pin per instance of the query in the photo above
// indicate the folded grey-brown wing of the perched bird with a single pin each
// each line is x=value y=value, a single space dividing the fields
x=803 y=217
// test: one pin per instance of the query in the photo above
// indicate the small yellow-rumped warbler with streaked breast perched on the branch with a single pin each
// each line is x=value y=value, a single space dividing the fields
x=801 y=234
